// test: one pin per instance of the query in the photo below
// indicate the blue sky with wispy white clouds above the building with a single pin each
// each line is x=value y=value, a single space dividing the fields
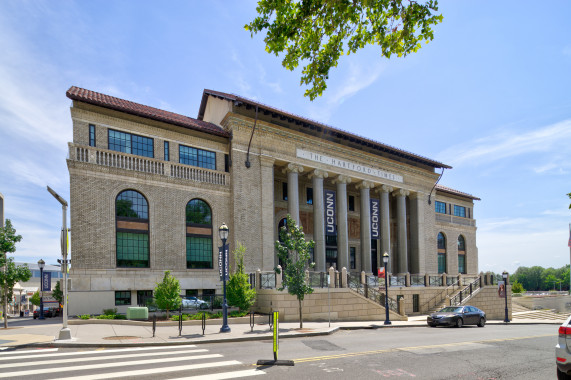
x=489 y=96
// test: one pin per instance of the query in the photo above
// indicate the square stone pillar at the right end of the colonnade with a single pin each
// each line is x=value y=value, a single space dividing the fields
x=417 y=259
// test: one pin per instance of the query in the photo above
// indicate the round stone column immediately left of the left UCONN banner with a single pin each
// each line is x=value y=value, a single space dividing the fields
x=318 y=219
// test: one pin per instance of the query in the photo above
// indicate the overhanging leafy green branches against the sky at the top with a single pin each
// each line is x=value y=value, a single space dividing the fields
x=320 y=31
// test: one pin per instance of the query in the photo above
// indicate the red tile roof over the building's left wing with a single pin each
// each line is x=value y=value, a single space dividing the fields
x=132 y=108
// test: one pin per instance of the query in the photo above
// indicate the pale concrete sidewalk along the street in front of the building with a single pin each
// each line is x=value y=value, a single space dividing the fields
x=28 y=332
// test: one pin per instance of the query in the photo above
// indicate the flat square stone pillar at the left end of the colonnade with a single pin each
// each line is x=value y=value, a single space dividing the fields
x=269 y=256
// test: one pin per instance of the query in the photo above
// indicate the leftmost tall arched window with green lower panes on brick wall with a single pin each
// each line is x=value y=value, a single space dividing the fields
x=132 y=227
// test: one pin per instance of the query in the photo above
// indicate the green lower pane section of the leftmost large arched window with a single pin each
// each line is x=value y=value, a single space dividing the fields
x=132 y=250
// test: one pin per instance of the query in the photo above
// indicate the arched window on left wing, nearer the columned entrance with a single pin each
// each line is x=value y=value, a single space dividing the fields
x=198 y=235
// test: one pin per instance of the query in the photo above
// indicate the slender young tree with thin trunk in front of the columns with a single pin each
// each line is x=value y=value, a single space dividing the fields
x=293 y=251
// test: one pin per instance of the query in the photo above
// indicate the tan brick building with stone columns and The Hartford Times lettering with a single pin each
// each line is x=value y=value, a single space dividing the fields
x=149 y=189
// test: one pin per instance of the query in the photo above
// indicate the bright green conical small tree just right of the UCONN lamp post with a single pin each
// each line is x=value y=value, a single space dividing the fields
x=240 y=293
